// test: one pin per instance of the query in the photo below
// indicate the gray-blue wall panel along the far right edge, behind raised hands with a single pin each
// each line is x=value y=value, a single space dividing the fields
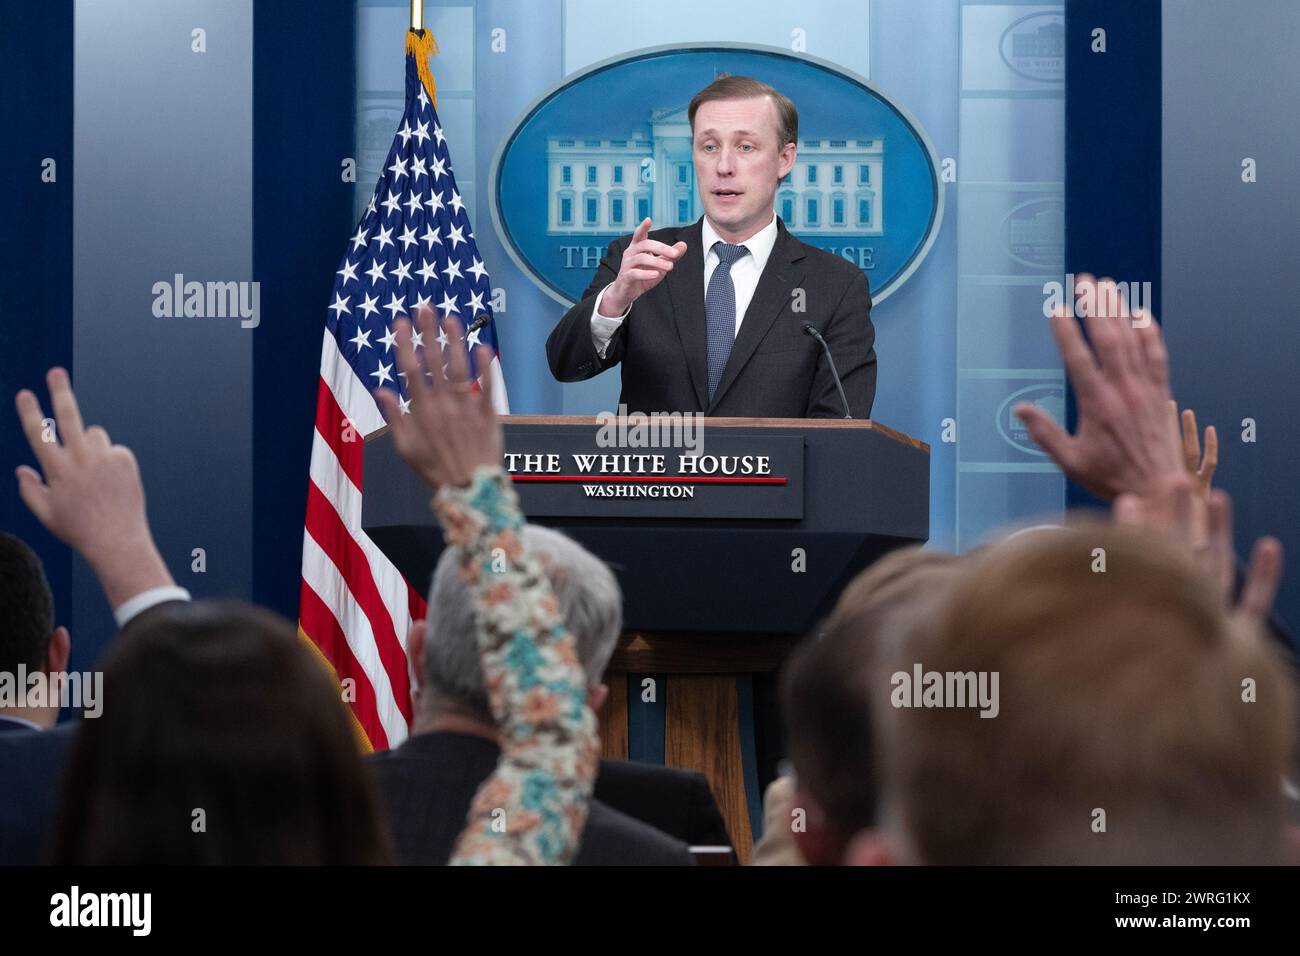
x=1230 y=75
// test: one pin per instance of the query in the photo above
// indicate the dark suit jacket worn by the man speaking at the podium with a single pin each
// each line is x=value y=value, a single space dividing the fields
x=775 y=370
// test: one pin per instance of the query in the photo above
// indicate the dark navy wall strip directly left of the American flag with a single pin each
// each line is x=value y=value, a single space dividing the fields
x=305 y=119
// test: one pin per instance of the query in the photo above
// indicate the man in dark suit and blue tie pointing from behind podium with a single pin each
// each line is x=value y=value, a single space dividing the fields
x=731 y=315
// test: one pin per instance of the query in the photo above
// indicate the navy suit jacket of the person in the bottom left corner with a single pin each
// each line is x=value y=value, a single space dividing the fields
x=32 y=772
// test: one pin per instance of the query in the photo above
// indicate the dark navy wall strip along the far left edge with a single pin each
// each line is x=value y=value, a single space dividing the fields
x=36 y=310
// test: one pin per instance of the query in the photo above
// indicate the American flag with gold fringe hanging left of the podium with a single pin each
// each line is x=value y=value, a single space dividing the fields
x=414 y=249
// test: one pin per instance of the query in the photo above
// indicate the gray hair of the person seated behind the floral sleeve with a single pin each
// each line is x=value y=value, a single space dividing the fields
x=588 y=595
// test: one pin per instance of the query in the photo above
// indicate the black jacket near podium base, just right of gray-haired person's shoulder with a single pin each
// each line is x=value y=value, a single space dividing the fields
x=674 y=802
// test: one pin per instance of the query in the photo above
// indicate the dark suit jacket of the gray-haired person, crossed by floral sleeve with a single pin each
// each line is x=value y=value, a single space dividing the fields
x=428 y=784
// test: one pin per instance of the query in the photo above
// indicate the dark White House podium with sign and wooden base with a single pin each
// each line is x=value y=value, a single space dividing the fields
x=730 y=547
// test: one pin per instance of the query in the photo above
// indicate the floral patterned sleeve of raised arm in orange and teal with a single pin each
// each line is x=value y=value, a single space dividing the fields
x=532 y=810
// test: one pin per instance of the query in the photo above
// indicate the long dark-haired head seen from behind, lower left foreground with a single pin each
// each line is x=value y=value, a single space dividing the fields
x=223 y=741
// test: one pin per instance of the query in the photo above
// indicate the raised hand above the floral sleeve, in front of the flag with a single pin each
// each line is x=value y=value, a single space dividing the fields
x=449 y=429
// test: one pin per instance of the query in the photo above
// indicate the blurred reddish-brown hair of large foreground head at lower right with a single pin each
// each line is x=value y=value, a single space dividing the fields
x=1121 y=689
